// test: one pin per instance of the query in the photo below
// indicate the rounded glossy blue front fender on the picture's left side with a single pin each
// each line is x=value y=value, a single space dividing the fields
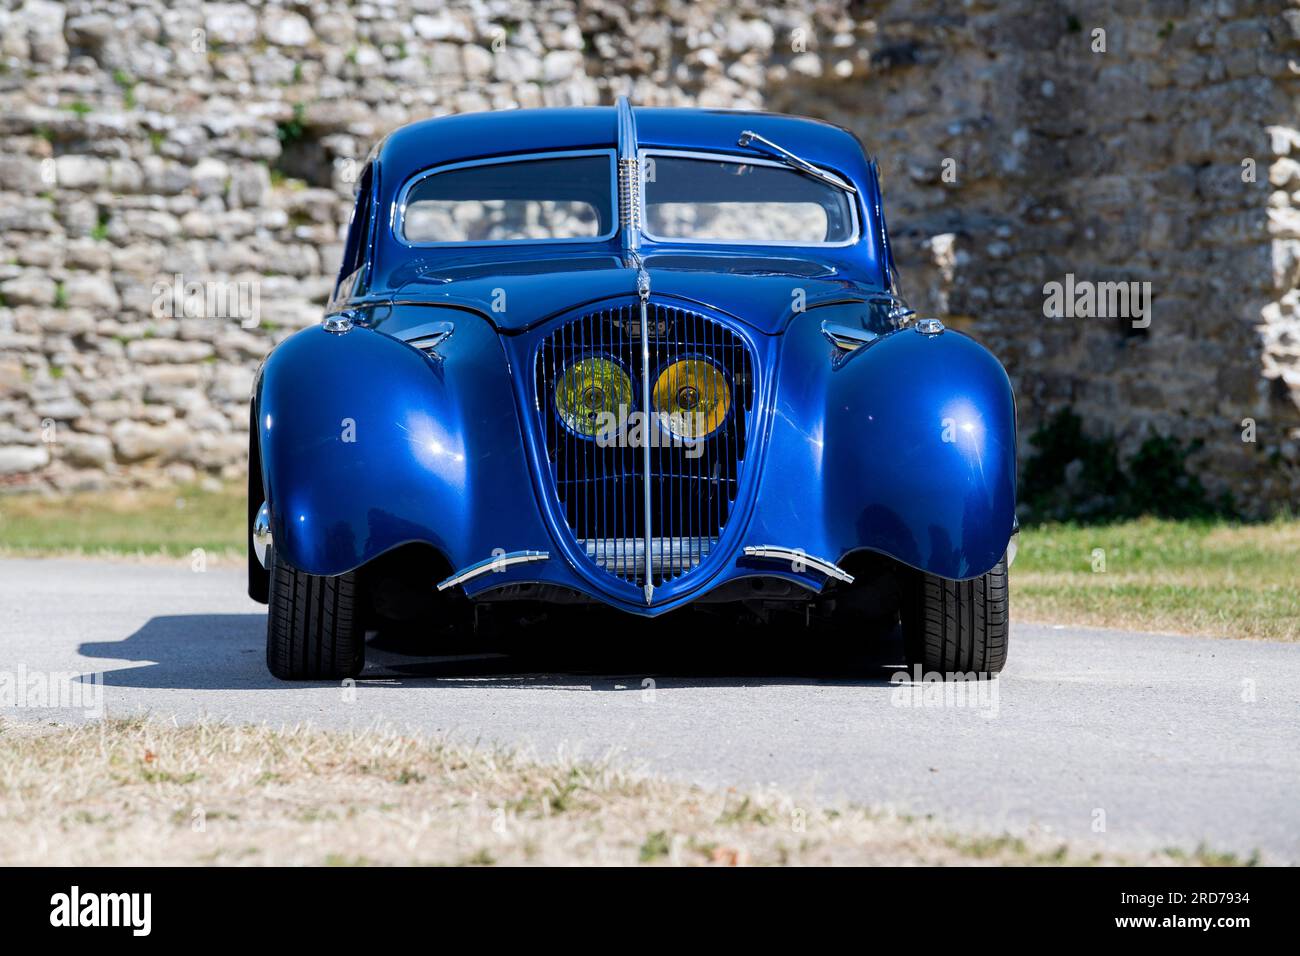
x=369 y=444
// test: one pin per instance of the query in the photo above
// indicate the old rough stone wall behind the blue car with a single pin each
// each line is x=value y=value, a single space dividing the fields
x=150 y=145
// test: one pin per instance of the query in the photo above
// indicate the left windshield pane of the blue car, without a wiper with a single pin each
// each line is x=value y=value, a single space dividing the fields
x=556 y=198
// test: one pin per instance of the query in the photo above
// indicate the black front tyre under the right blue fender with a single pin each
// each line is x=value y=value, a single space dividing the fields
x=957 y=626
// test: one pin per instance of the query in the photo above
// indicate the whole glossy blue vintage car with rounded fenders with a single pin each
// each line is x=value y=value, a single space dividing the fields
x=635 y=358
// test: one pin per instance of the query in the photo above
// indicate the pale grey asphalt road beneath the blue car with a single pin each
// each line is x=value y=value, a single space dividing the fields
x=1178 y=741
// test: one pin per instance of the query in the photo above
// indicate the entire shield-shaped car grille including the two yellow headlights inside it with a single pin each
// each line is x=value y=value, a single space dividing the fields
x=588 y=377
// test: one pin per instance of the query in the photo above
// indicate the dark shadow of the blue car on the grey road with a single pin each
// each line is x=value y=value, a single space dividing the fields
x=228 y=652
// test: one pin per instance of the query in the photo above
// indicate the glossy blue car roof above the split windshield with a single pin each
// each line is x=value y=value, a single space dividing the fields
x=501 y=133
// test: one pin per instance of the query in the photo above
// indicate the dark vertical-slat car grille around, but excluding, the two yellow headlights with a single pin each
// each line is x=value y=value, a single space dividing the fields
x=601 y=486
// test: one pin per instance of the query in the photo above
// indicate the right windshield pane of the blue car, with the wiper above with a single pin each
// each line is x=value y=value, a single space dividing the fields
x=743 y=201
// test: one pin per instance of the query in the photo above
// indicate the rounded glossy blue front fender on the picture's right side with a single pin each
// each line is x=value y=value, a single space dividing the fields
x=905 y=447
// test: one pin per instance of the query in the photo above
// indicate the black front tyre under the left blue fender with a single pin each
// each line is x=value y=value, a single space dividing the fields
x=314 y=626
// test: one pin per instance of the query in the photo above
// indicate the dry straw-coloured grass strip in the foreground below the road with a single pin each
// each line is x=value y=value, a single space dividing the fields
x=150 y=793
